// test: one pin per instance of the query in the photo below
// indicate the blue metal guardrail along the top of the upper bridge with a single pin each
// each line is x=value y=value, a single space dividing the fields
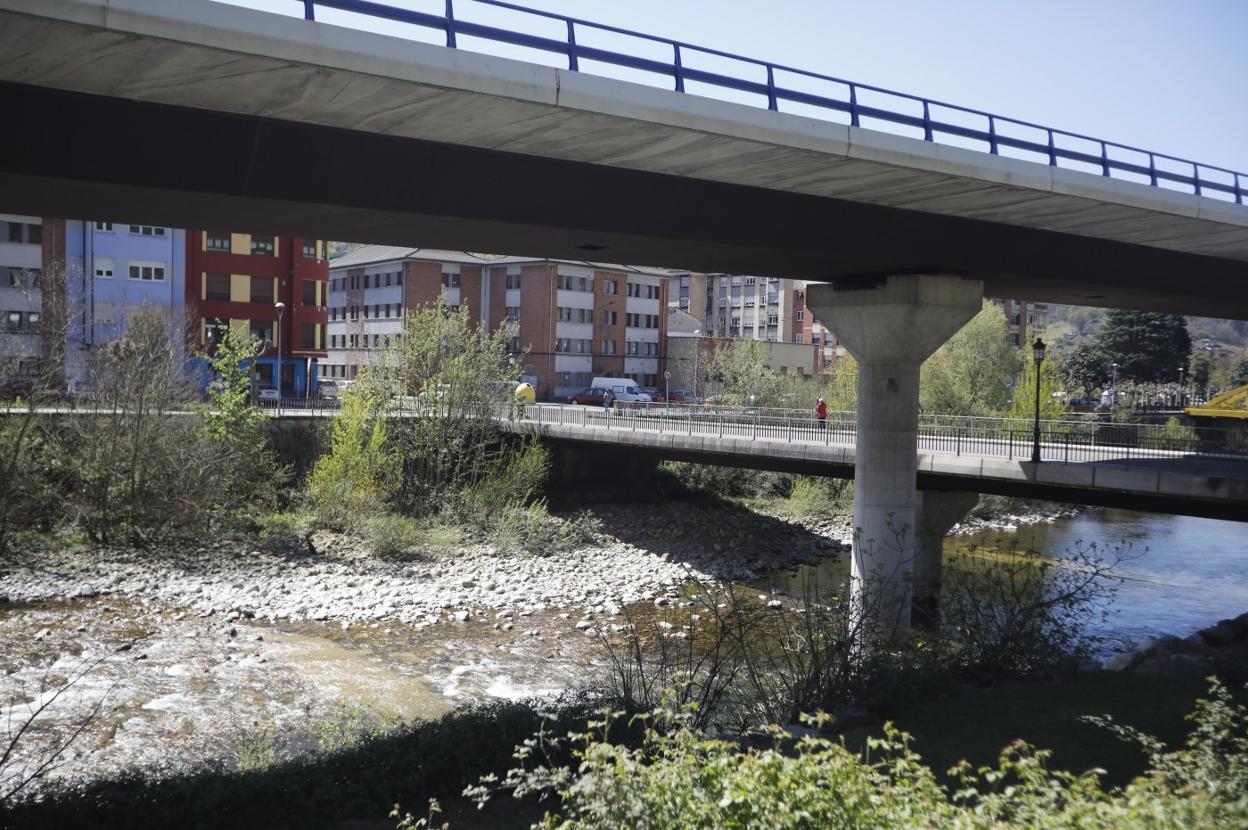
x=778 y=84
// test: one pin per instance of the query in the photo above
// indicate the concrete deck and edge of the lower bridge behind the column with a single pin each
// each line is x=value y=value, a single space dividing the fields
x=1161 y=481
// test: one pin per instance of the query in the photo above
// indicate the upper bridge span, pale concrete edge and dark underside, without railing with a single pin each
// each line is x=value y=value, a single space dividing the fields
x=313 y=129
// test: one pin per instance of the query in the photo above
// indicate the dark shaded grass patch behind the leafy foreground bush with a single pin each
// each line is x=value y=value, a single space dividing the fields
x=979 y=725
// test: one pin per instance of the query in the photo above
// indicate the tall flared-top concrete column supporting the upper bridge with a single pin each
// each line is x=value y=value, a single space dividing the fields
x=892 y=328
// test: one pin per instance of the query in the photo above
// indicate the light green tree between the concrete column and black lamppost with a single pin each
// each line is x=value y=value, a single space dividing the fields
x=975 y=371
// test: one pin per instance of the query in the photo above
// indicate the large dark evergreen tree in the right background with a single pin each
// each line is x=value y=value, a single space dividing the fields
x=1148 y=346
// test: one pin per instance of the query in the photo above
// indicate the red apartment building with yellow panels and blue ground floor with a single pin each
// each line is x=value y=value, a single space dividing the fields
x=238 y=281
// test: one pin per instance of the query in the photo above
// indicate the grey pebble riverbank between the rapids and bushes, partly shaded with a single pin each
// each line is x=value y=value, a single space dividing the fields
x=642 y=552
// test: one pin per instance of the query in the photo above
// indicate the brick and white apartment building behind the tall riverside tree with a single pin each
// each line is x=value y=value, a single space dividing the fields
x=572 y=320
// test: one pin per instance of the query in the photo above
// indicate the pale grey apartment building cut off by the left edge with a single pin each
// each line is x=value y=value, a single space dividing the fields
x=22 y=263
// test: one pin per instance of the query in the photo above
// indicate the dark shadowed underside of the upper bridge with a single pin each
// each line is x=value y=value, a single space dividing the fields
x=192 y=168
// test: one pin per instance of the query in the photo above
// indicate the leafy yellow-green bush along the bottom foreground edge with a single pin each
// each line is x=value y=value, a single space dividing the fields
x=678 y=779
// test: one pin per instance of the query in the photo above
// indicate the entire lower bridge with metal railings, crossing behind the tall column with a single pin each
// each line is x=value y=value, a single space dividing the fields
x=1146 y=467
